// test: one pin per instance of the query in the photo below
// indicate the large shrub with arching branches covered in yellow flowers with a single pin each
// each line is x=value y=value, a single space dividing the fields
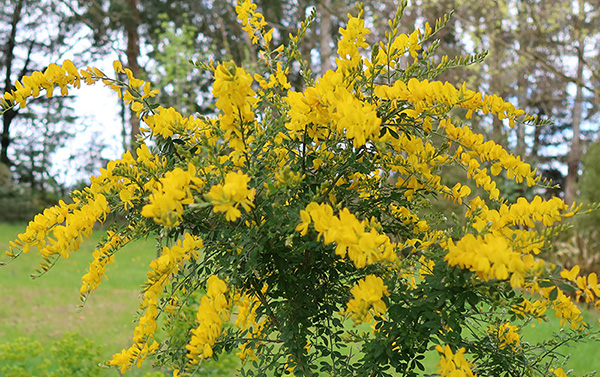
x=292 y=215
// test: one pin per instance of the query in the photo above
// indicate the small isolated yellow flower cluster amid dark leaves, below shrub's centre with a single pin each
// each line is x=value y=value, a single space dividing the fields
x=366 y=301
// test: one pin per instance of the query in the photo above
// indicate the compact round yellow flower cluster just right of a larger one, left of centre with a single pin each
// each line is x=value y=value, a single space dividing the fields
x=229 y=196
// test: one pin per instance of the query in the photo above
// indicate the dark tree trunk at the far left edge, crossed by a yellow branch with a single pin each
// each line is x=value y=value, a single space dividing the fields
x=9 y=57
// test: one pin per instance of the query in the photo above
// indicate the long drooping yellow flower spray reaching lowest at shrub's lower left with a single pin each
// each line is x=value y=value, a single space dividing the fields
x=162 y=270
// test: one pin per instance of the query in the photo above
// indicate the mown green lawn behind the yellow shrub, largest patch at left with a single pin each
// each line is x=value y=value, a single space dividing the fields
x=46 y=308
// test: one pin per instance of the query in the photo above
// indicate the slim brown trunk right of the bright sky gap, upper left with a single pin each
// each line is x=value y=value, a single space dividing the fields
x=131 y=24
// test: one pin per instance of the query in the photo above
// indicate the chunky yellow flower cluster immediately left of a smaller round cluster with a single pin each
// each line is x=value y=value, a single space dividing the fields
x=171 y=194
